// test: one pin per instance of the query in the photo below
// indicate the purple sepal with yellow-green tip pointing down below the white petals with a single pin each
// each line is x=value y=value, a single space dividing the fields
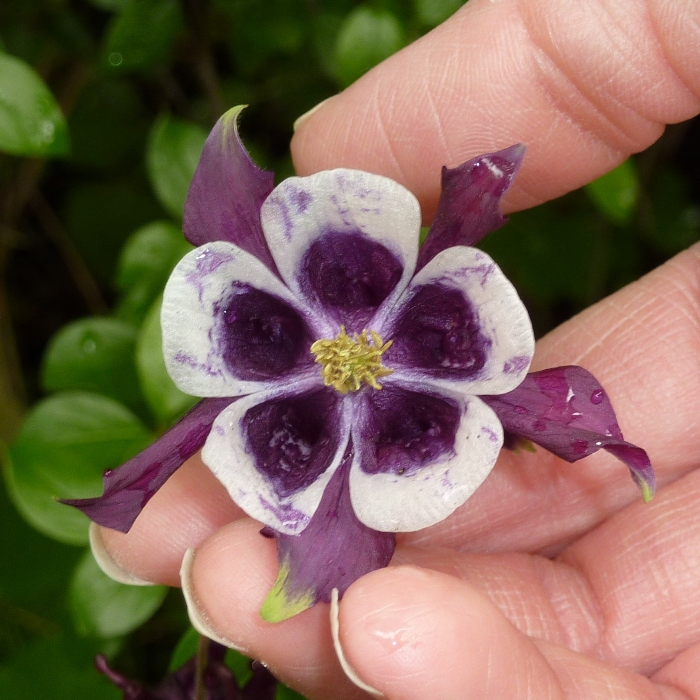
x=333 y=551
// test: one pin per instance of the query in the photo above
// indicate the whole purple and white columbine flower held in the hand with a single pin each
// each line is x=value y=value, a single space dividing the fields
x=358 y=386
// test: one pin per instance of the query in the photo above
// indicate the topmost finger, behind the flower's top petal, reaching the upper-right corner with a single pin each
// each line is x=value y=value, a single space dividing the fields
x=583 y=84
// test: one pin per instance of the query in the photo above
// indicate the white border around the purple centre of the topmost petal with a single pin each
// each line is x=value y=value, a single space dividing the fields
x=303 y=209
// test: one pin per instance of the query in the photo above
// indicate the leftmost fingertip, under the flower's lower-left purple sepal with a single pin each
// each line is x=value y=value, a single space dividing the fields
x=189 y=508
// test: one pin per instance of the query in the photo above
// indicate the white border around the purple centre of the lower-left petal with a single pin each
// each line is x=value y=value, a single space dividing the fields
x=230 y=457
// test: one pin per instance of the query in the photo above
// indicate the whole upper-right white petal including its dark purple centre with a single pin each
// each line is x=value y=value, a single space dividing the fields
x=460 y=324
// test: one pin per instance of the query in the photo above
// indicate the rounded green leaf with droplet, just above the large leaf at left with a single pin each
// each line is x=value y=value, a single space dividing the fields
x=95 y=355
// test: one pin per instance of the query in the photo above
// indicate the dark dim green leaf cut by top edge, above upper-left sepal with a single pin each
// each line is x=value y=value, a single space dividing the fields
x=142 y=35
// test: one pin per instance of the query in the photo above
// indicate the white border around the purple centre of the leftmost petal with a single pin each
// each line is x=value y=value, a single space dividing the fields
x=200 y=282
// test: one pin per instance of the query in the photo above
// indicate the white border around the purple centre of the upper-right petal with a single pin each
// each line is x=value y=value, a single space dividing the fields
x=502 y=319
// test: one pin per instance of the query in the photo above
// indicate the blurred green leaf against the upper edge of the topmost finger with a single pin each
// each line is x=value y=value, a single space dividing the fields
x=366 y=38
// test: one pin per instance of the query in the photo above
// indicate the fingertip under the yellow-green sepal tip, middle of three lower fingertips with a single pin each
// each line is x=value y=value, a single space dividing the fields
x=229 y=578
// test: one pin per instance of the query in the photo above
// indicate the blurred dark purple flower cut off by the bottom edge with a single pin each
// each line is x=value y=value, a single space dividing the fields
x=218 y=680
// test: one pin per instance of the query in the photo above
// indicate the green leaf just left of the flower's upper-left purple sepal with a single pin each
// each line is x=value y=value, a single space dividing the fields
x=173 y=151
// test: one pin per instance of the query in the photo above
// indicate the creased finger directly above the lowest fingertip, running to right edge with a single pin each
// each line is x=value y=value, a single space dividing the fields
x=625 y=593
